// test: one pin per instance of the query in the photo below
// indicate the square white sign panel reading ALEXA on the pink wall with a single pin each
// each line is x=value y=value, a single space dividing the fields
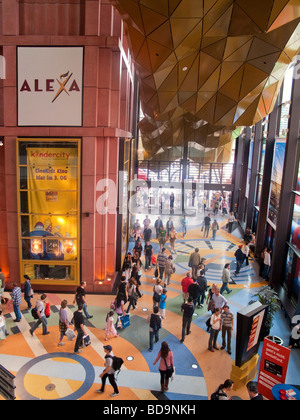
x=50 y=83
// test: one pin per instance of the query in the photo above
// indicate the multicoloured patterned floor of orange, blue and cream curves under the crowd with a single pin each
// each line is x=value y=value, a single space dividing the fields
x=45 y=371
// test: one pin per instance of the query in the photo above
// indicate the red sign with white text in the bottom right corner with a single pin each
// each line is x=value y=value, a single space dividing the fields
x=273 y=367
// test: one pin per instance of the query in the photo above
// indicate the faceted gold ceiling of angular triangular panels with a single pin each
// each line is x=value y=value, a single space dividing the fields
x=207 y=66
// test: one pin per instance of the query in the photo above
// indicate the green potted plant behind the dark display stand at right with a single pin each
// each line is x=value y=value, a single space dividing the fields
x=267 y=296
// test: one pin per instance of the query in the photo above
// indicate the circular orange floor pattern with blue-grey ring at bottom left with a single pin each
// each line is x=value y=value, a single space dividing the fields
x=24 y=393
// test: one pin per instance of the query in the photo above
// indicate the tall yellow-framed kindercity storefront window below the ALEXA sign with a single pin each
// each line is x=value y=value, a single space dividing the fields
x=49 y=209
